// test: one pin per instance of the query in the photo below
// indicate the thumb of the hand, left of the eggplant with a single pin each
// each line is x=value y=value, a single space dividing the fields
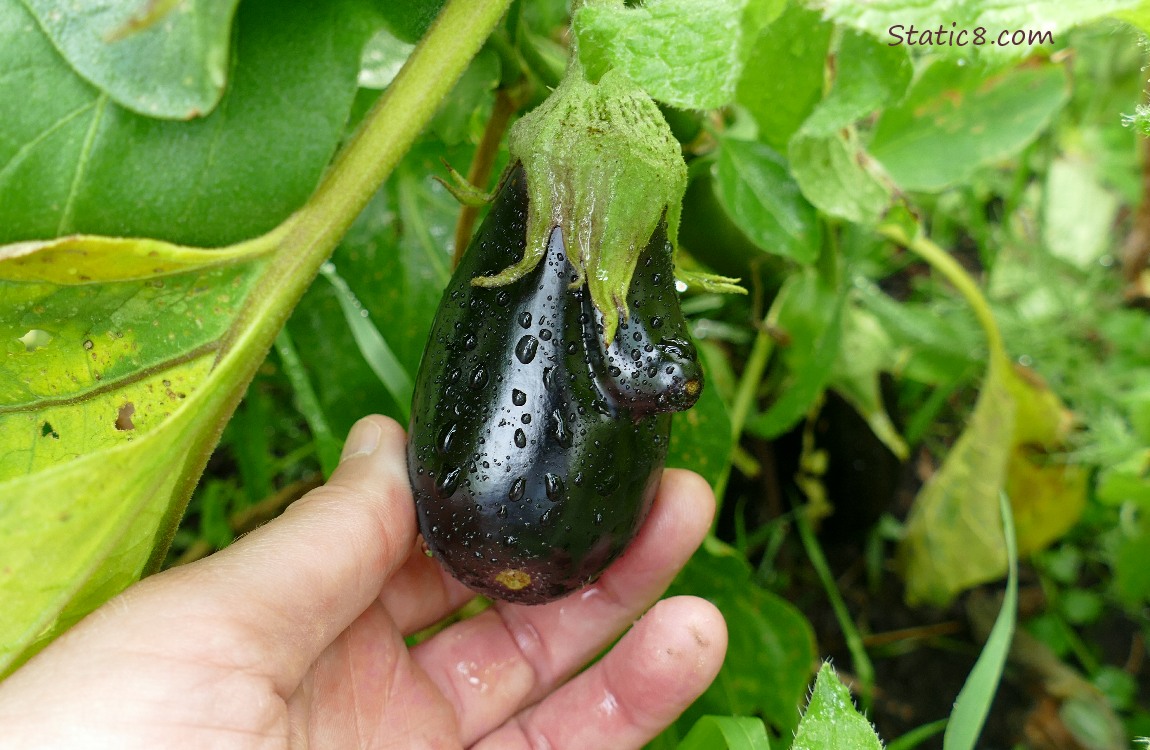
x=289 y=588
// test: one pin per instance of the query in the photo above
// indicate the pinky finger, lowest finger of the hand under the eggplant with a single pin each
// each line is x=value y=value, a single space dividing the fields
x=648 y=679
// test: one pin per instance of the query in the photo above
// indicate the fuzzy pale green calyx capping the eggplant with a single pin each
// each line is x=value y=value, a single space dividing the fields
x=604 y=167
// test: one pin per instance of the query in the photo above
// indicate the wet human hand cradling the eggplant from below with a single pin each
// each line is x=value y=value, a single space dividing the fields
x=294 y=638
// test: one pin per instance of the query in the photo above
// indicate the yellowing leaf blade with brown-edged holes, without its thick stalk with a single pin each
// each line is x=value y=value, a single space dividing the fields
x=97 y=425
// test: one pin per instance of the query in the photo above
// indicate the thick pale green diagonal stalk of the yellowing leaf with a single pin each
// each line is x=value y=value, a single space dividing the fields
x=302 y=244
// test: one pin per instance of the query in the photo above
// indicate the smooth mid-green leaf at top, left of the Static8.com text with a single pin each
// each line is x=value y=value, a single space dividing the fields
x=784 y=80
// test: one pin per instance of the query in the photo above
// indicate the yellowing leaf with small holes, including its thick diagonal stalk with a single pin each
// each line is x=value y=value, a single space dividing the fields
x=79 y=529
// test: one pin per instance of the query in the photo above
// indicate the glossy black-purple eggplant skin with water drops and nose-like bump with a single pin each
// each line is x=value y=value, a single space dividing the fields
x=533 y=462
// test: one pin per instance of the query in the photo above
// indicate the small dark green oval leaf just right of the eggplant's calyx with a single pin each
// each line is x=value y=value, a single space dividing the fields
x=756 y=189
